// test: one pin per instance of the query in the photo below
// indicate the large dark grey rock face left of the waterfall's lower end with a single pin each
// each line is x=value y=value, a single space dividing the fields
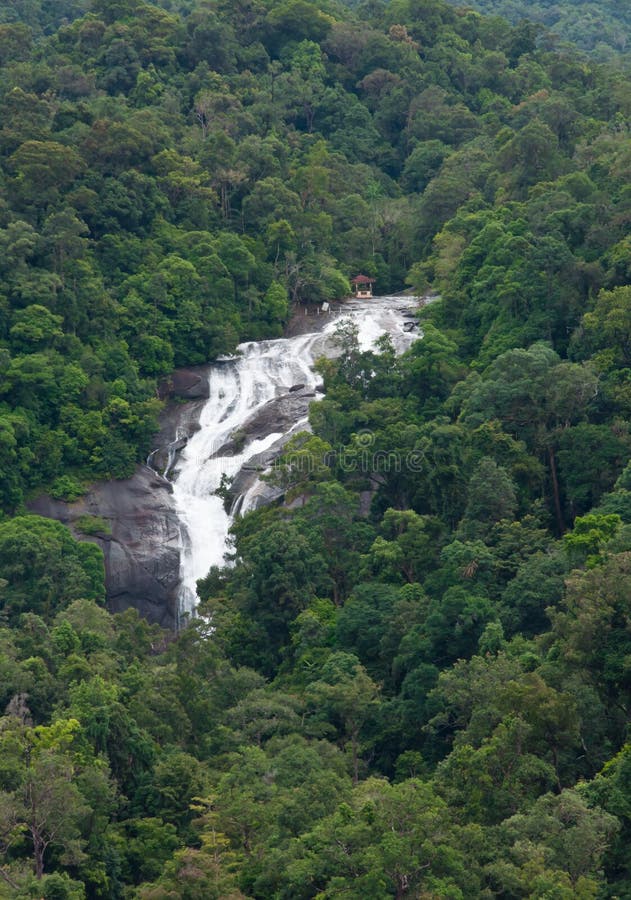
x=142 y=556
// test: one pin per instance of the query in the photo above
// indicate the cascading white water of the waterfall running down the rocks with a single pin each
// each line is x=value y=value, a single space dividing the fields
x=237 y=389
